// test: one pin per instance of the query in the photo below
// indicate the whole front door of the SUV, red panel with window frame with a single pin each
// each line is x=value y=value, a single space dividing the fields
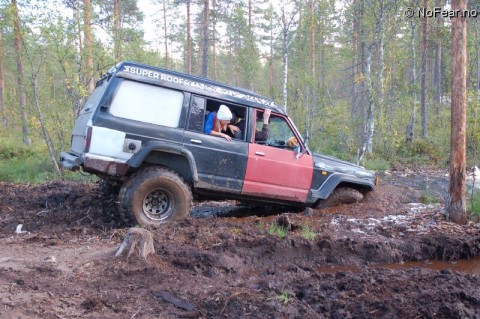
x=273 y=169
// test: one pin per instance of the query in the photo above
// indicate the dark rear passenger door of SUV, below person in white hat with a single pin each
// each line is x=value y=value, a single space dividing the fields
x=221 y=164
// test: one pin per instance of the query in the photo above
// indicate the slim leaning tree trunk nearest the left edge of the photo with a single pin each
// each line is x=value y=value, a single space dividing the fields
x=21 y=87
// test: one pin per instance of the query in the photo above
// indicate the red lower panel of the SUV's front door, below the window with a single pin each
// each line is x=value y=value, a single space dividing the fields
x=276 y=173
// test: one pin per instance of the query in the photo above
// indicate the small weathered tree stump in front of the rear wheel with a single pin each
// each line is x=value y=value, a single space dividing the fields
x=137 y=237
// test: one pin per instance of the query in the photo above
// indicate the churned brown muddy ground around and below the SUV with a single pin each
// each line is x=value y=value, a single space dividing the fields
x=219 y=265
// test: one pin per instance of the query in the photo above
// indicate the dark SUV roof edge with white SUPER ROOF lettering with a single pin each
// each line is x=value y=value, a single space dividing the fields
x=196 y=83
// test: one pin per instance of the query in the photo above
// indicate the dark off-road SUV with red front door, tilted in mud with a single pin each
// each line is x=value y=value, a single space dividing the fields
x=142 y=129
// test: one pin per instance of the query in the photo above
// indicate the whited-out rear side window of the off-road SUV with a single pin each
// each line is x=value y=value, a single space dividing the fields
x=147 y=103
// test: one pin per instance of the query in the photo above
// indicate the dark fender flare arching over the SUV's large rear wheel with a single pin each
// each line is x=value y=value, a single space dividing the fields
x=137 y=159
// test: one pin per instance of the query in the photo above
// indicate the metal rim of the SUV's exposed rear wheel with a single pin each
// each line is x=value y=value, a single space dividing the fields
x=158 y=204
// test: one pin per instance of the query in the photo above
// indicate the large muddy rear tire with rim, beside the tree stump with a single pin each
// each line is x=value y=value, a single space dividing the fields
x=154 y=196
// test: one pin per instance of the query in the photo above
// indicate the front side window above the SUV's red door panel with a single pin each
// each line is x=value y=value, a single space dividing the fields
x=279 y=133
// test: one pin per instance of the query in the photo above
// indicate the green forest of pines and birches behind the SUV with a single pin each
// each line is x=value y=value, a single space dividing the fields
x=368 y=80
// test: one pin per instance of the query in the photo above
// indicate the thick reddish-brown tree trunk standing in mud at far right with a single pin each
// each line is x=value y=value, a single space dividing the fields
x=457 y=187
